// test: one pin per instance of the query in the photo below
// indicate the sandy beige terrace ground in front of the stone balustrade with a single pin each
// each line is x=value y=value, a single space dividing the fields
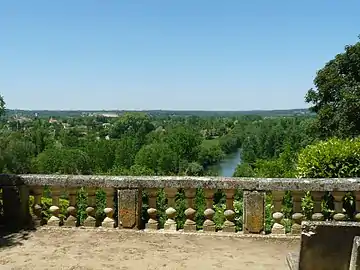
x=123 y=249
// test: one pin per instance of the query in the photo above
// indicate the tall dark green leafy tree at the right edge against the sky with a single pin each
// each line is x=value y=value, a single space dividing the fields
x=336 y=98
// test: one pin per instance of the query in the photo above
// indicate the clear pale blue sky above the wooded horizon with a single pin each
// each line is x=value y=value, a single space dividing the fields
x=161 y=54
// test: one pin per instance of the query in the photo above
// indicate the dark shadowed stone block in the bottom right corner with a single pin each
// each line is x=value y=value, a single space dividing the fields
x=327 y=245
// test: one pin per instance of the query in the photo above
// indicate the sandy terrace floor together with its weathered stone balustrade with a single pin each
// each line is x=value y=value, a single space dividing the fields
x=132 y=234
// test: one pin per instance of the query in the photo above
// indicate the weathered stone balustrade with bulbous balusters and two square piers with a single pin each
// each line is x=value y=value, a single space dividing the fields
x=124 y=201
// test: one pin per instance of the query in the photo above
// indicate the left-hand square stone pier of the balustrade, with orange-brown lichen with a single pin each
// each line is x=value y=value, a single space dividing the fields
x=129 y=208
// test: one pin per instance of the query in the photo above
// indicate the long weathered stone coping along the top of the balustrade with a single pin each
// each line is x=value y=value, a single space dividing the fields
x=268 y=184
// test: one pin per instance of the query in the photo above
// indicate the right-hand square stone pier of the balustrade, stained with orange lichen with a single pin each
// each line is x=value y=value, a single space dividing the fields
x=253 y=209
